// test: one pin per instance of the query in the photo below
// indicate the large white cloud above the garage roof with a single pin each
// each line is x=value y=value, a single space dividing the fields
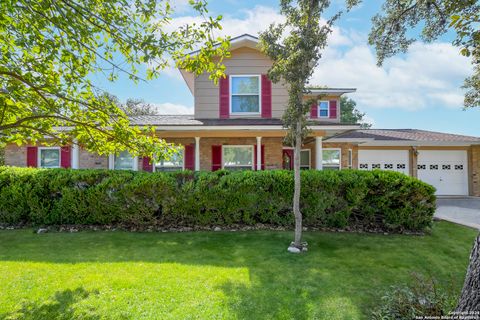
x=428 y=75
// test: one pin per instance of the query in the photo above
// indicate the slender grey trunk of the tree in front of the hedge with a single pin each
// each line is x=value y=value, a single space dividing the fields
x=296 y=195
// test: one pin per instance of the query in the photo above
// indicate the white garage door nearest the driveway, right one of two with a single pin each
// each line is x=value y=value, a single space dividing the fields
x=445 y=170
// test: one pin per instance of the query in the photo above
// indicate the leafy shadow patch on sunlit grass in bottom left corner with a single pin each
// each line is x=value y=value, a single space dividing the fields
x=59 y=307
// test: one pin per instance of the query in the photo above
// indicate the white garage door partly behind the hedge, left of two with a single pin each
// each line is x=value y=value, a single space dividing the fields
x=396 y=160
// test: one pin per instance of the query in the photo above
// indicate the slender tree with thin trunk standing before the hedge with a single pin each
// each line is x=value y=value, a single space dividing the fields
x=295 y=49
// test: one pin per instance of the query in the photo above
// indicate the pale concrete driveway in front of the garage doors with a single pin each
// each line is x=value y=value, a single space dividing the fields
x=461 y=210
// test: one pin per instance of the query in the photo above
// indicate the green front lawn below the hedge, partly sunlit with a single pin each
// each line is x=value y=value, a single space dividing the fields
x=216 y=275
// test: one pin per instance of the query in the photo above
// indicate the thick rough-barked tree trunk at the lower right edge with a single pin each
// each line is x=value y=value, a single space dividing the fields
x=470 y=297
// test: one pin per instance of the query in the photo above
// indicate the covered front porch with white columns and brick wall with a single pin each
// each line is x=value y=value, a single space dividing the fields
x=213 y=153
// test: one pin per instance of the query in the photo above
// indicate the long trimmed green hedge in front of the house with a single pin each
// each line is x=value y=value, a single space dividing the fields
x=347 y=198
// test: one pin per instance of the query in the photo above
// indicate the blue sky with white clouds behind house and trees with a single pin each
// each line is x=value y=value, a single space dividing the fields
x=420 y=89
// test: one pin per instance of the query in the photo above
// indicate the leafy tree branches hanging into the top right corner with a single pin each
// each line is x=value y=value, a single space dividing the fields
x=392 y=29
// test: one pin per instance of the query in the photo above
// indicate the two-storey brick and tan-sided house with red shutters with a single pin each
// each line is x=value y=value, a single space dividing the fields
x=237 y=125
